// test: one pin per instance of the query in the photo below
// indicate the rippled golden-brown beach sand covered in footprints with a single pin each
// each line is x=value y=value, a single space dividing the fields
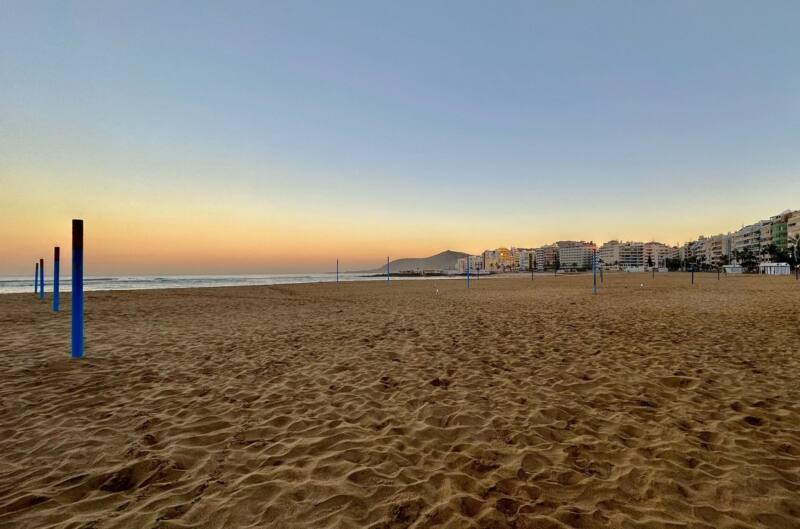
x=514 y=404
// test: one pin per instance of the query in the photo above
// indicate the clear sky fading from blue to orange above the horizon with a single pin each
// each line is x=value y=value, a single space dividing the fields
x=268 y=137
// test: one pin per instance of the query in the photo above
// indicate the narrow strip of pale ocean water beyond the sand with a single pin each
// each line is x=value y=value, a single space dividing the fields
x=10 y=285
